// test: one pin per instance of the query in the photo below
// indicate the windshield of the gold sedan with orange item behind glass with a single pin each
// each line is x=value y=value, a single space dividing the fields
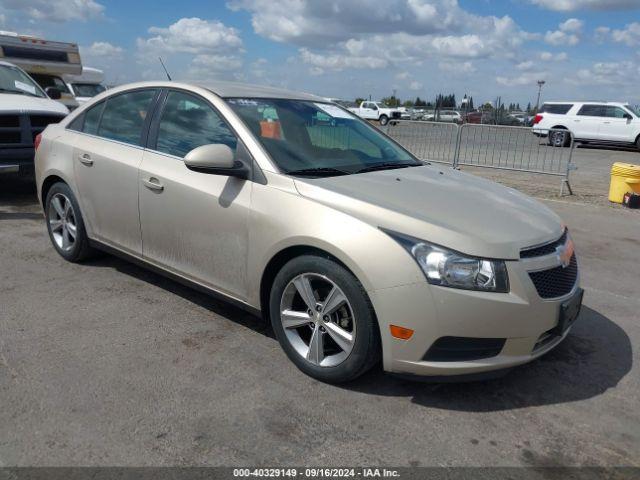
x=318 y=139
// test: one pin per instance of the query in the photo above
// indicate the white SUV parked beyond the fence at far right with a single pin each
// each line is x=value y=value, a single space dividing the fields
x=598 y=122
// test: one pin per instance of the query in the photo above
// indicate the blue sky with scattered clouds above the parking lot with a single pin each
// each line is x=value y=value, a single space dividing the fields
x=584 y=49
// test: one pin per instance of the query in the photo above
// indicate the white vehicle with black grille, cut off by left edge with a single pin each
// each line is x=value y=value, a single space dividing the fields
x=25 y=111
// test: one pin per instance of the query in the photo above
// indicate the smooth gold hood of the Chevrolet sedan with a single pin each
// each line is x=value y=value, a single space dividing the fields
x=443 y=206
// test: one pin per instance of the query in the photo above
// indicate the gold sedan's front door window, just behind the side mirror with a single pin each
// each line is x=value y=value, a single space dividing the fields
x=188 y=122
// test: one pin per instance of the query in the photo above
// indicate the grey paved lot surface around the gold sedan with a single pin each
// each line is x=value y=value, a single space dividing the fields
x=107 y=364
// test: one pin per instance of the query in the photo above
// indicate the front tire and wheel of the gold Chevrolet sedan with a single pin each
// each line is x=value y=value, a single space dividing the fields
x=338 y=340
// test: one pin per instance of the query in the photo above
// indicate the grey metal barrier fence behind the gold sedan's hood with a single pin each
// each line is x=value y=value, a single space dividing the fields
x=489 y=146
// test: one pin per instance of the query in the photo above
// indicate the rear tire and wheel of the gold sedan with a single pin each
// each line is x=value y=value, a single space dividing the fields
x=63 y=217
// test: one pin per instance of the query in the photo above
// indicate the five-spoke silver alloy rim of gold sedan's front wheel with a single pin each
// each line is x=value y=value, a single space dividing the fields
x=318 y=320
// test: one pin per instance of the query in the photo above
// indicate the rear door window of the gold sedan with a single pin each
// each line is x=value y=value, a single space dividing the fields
x=124 y=115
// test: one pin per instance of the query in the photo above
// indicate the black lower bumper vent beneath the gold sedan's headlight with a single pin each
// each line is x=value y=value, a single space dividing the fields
x=462 y=349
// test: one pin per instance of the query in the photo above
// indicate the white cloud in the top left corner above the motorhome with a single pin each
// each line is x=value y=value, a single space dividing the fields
x=56 y=10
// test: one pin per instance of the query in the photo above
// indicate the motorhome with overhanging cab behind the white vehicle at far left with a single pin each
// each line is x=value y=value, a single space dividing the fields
x=44 y=60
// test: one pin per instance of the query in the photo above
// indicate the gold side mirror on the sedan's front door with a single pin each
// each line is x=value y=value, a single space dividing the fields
x=216 y=159
